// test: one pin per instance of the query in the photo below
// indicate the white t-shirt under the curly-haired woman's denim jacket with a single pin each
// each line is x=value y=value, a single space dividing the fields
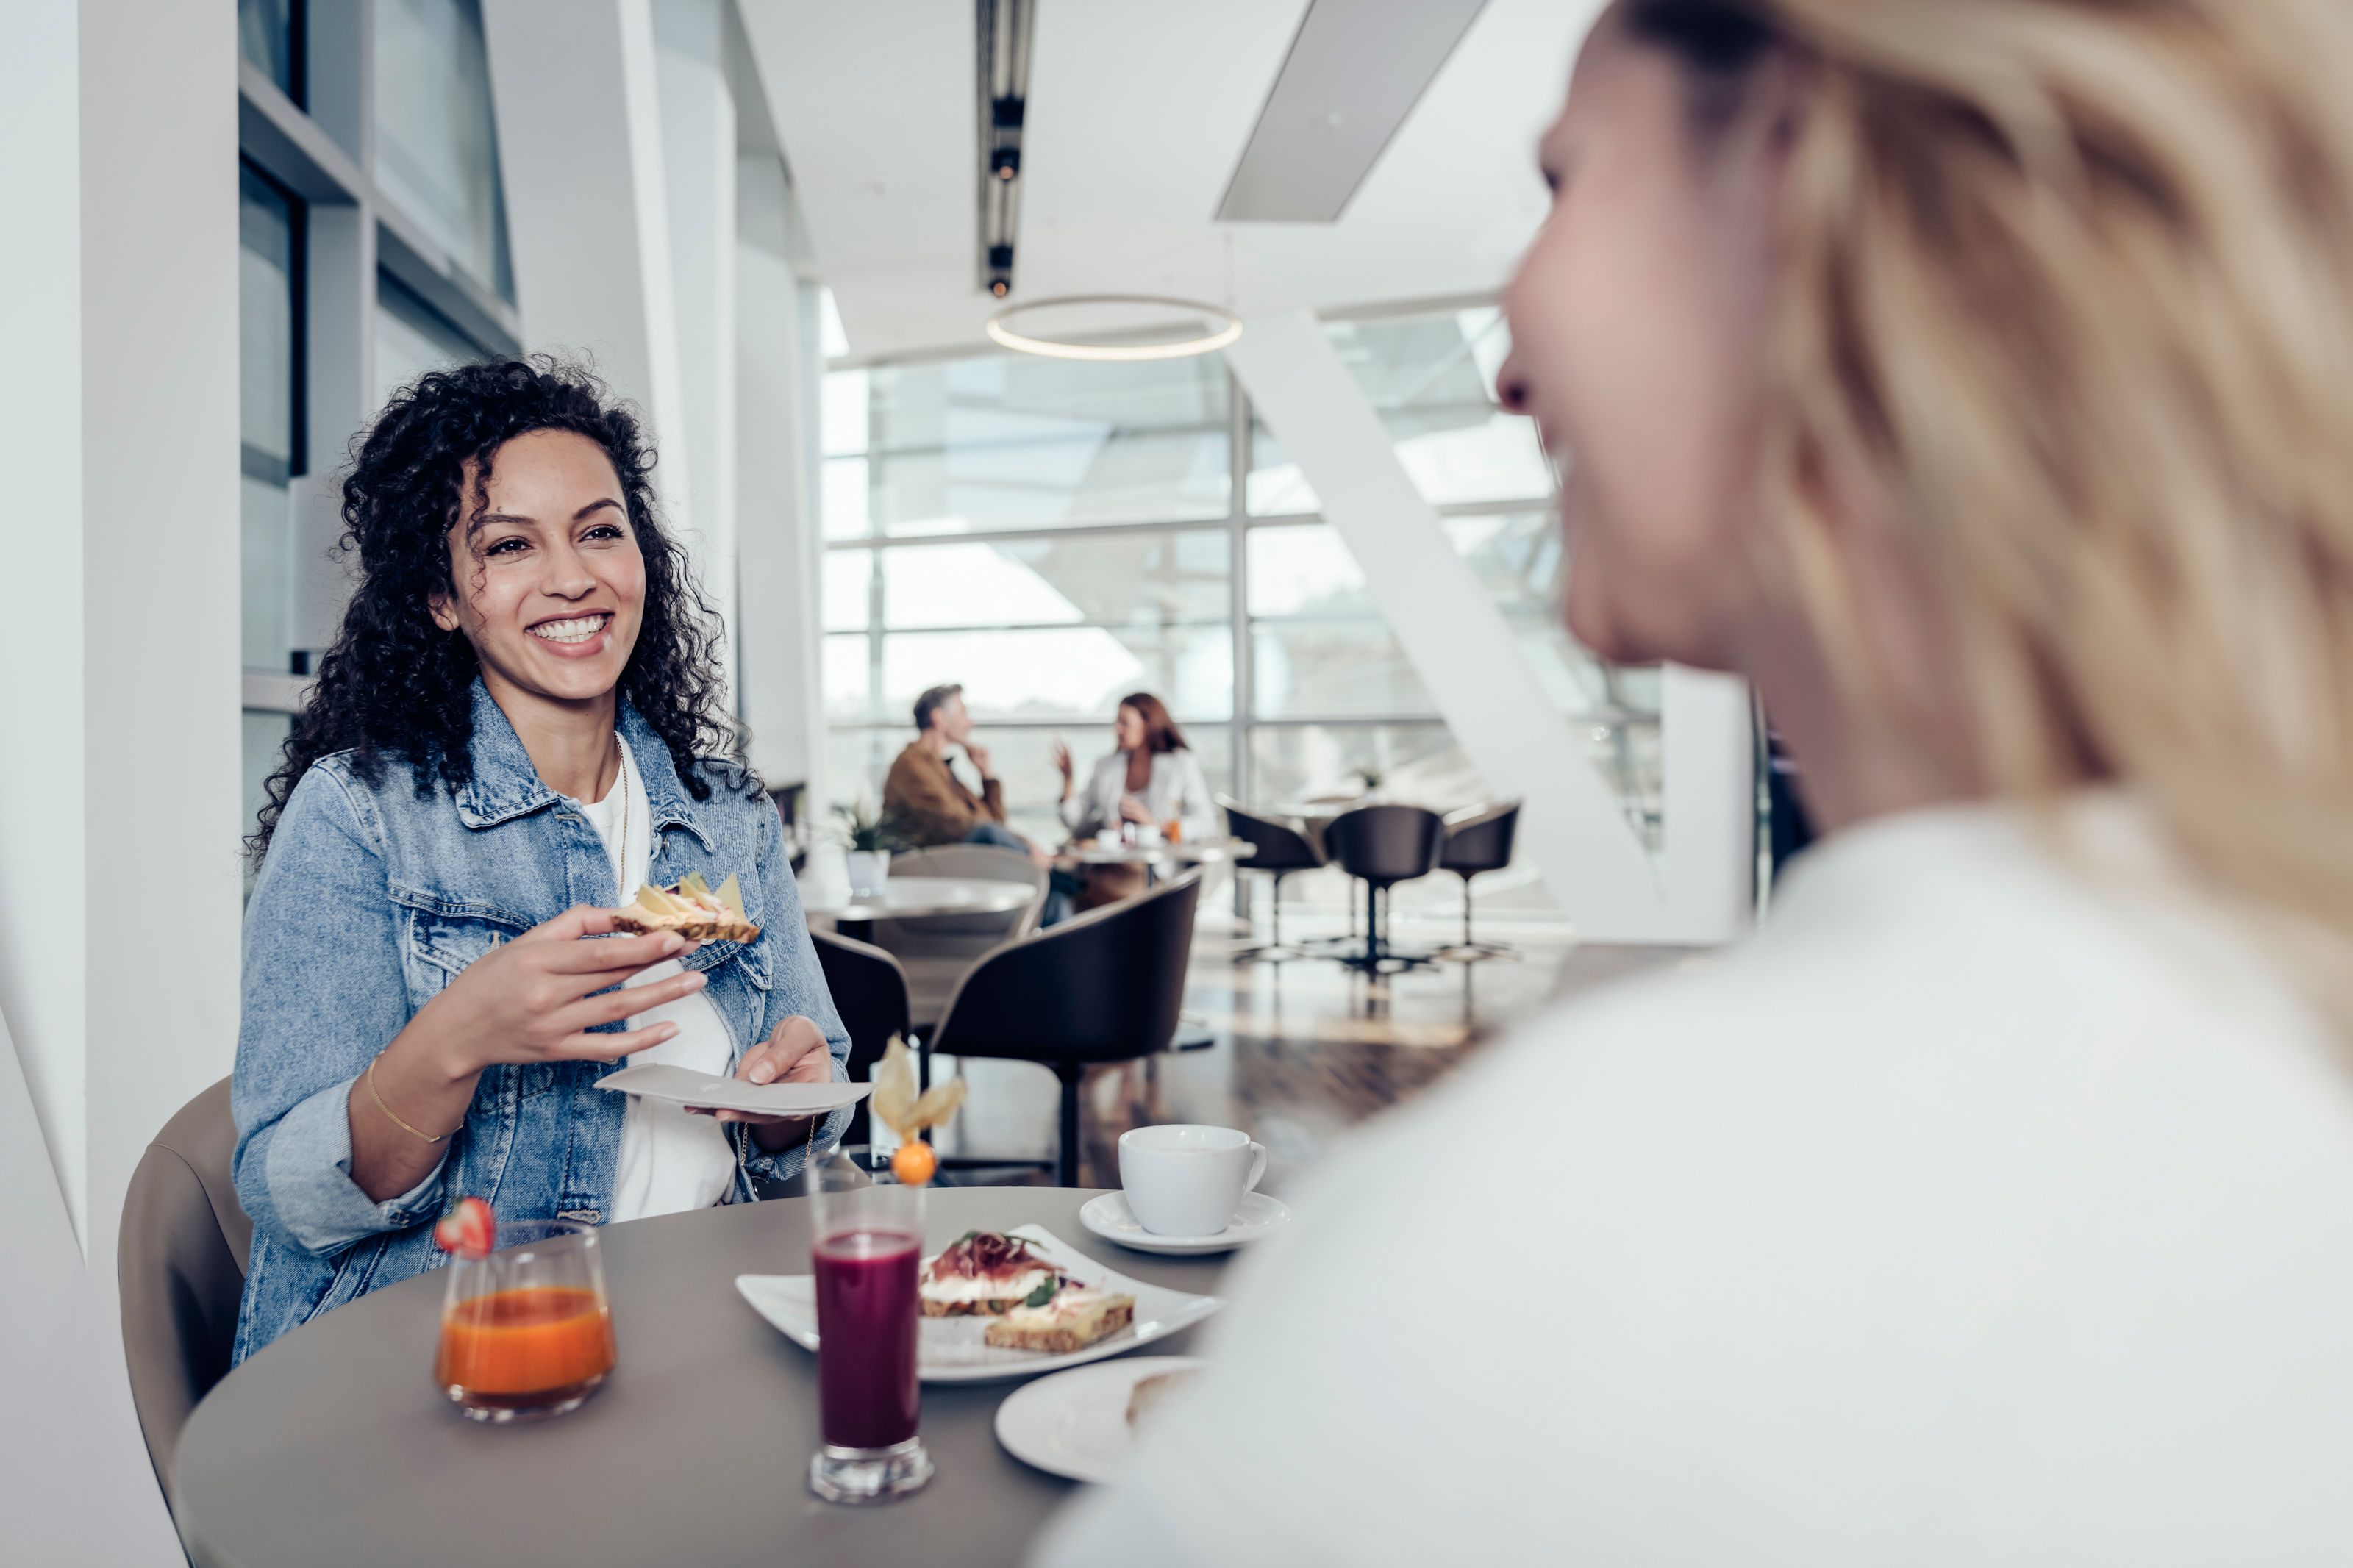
x=669 y=1160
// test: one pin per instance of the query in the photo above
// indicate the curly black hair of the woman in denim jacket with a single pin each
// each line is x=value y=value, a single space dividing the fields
x=396 y=688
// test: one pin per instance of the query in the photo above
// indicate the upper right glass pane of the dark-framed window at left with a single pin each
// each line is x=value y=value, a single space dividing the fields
x=436 y=138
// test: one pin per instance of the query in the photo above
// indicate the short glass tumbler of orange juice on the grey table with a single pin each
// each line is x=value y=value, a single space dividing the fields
x=526 y=1329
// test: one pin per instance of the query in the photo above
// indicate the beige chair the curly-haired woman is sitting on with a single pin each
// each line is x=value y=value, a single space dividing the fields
x=182 y=1271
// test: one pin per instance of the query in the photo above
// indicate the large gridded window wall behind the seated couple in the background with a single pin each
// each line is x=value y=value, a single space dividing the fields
x=1058 y=535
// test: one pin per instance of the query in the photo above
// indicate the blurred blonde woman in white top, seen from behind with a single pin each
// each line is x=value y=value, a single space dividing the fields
x=1978 y=377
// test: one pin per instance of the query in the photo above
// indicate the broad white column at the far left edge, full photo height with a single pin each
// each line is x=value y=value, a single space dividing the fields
x=121 y=808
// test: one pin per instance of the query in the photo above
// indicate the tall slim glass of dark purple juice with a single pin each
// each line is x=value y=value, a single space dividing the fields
x=865 y=1252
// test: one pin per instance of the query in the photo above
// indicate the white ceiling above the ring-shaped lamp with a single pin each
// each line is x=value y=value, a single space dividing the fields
x=1135 y=121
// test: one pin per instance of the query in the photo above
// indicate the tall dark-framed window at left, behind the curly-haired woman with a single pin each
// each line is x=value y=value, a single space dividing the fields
x=328 y=326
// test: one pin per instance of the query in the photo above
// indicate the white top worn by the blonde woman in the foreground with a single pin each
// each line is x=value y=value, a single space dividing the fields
x=1978 y=1212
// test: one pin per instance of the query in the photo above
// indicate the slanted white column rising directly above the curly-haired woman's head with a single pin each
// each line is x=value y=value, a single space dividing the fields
x=587 y=213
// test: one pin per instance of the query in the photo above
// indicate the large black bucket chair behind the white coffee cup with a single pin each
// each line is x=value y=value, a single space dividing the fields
x=1100 y=989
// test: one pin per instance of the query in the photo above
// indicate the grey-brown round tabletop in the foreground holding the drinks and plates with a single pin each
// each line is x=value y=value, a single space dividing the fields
x=335 y=1447
